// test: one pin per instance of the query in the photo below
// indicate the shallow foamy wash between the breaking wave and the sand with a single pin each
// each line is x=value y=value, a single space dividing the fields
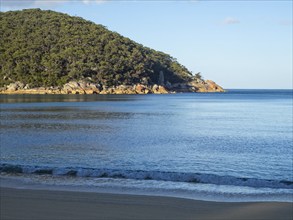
x=76 y=184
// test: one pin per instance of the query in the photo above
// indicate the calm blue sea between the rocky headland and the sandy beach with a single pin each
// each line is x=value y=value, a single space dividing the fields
x=224 y=146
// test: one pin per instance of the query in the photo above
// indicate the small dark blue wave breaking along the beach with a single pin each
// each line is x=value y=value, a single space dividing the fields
x=148 y=175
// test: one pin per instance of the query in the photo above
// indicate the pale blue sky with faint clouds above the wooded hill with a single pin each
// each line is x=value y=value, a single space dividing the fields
x=238 y=44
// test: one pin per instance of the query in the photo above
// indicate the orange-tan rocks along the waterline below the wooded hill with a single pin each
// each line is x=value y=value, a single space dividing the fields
x=83 y=87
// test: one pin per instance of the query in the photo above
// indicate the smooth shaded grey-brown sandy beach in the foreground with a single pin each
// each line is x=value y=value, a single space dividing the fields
x=47 y=204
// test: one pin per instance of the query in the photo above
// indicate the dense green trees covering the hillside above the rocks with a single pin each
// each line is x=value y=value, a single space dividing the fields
x=46 y=48
